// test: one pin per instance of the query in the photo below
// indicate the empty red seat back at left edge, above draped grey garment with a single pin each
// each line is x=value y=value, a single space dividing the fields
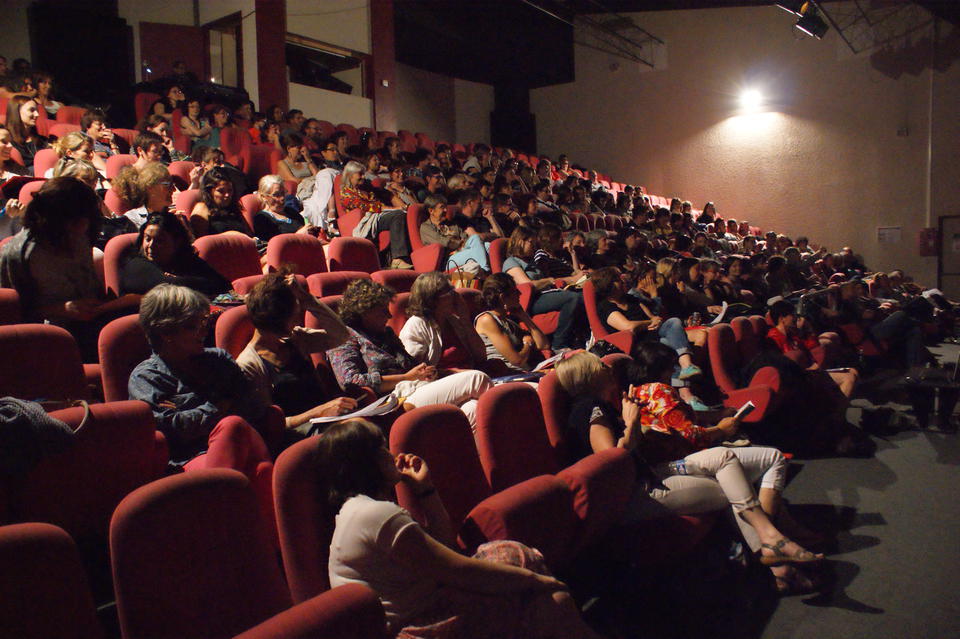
x=40 y=361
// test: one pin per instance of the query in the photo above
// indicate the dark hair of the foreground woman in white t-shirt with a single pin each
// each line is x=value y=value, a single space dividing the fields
x=348 y=462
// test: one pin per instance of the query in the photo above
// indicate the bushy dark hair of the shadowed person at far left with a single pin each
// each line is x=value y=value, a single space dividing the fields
x=56 y=205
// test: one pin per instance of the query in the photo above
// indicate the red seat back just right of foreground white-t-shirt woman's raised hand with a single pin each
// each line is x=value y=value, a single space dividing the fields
x=441 y=436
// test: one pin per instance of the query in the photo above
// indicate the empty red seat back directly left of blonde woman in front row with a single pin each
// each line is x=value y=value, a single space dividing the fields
x=512 y=437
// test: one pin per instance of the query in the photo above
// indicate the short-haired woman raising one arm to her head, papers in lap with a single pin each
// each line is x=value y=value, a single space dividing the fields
x=277 y=363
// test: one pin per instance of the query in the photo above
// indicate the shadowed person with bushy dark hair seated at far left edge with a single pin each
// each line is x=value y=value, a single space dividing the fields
x=50 y=263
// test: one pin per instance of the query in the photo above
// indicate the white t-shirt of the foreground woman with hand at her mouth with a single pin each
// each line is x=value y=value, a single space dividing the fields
x=362 y=551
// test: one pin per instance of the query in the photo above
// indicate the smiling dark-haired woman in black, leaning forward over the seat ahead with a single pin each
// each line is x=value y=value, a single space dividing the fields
x=164 y=254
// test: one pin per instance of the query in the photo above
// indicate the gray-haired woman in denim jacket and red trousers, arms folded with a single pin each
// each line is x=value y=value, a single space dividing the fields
x=199 y=397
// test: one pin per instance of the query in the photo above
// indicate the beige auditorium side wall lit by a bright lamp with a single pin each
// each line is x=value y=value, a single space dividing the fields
x=838 y=151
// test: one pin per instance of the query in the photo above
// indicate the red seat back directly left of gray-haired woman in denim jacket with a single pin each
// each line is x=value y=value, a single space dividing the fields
x=122 y=345
